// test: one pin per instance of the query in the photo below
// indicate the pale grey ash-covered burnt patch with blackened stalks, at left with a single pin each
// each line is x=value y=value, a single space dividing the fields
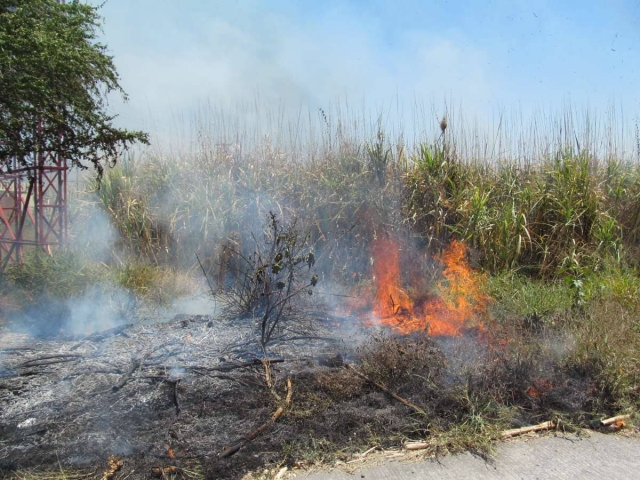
x=166 y=394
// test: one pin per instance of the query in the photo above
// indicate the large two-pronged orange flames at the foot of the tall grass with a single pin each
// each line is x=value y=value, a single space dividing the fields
x=457 y=305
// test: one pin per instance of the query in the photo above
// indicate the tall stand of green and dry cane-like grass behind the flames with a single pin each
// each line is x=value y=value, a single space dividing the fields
x=547 y=205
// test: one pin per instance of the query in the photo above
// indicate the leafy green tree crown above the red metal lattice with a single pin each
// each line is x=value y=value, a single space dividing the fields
x=55 y=78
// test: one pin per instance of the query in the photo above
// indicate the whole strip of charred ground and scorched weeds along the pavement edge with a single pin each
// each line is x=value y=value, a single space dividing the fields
x=174 y=395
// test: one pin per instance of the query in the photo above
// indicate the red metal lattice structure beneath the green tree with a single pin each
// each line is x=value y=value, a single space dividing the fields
x=33 y=206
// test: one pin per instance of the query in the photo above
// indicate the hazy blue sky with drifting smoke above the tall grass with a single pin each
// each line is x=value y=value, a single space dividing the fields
x=485 y=56
